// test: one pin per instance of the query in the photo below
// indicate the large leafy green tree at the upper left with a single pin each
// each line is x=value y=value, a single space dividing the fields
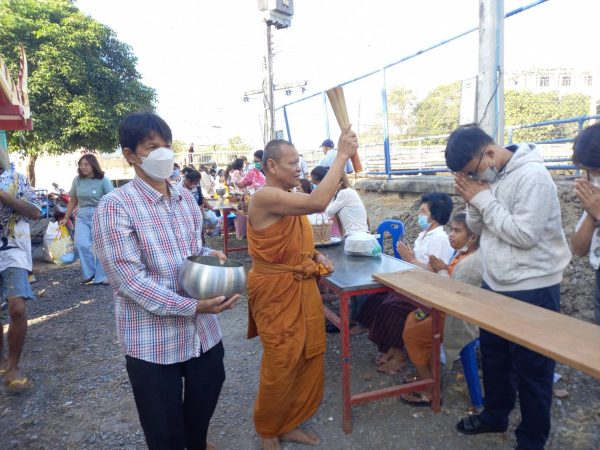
x=82 y=79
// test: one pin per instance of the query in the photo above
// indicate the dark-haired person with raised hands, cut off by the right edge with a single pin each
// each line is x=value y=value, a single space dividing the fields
x=586 y=239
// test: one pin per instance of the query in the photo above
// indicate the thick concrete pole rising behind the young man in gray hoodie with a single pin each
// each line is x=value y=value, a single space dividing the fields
x=490 y=81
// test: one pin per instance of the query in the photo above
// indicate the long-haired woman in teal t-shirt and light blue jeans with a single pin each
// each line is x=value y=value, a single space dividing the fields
x=86 y=191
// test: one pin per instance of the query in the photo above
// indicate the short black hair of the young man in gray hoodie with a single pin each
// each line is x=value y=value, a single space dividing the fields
x=463 y=145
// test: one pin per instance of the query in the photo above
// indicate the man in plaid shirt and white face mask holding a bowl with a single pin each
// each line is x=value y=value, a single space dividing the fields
x=142 y=233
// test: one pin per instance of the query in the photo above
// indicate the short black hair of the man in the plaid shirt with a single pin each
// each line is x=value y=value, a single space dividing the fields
x=139 y=126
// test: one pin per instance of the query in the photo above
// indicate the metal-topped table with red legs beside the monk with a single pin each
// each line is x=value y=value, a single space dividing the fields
x=352 y=276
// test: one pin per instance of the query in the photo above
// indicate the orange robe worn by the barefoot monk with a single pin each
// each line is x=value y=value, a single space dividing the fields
x=286 y=311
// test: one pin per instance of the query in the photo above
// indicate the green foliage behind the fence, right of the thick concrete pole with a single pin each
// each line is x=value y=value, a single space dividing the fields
x=525 y=107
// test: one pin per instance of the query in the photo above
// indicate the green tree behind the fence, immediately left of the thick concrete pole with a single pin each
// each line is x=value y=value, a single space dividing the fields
x=438 y=112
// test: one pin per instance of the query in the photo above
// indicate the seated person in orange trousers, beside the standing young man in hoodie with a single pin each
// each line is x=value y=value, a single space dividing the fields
x=466 y=267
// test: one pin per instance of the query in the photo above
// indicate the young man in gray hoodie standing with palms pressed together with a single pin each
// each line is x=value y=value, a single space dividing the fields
x=513 y=205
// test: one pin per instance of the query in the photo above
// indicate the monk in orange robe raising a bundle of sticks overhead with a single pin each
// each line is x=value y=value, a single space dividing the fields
x=285 y=307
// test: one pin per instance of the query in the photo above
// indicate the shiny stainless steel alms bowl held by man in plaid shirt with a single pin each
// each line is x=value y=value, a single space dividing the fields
x=204 y=277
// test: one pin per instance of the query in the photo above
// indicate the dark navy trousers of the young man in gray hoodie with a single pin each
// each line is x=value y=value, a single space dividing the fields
x=509 y=368
